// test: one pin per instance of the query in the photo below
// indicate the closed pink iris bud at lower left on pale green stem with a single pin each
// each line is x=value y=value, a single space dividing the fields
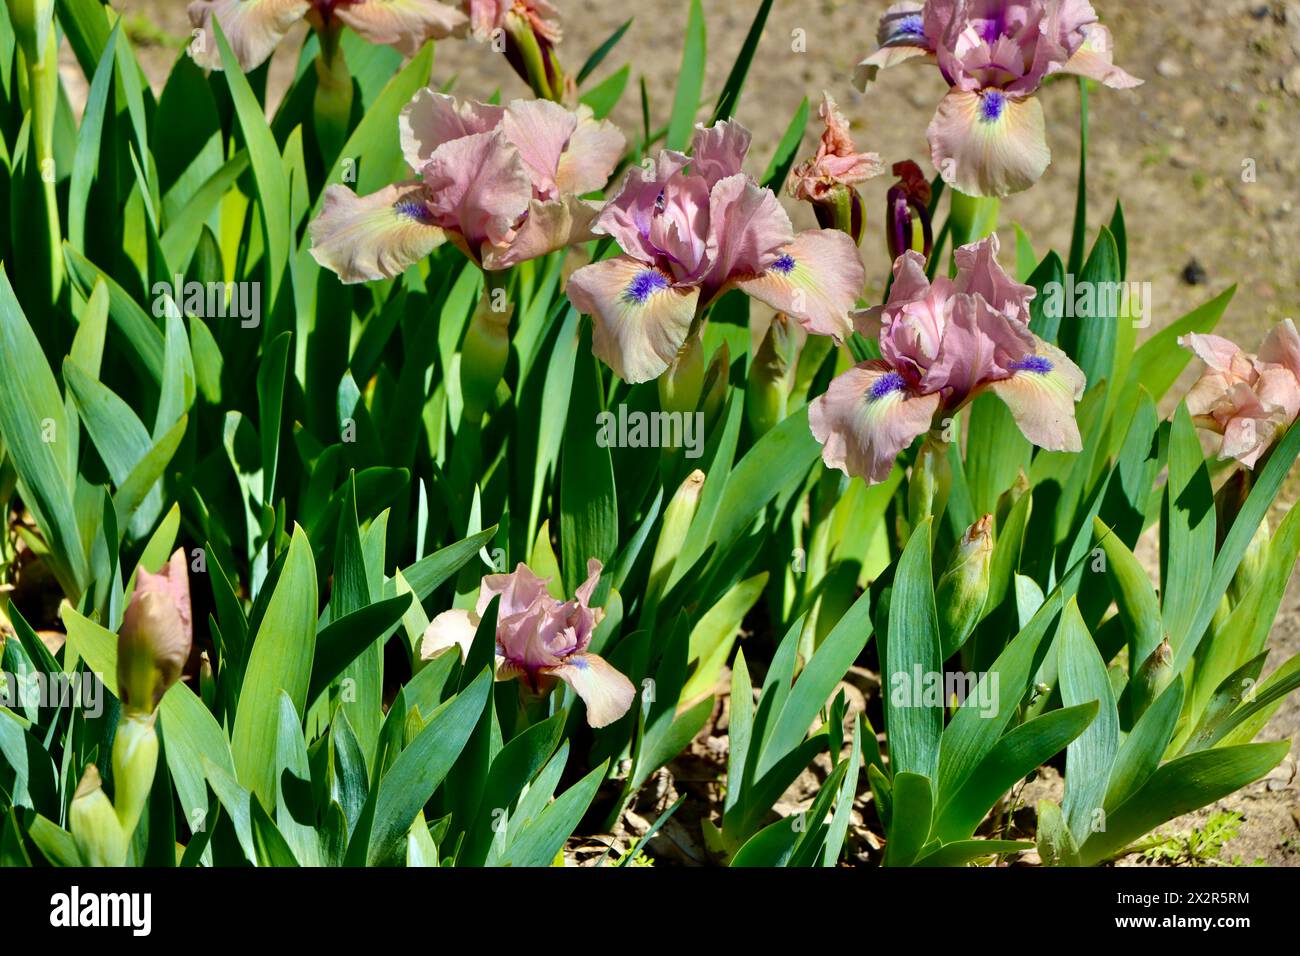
x=157 y=635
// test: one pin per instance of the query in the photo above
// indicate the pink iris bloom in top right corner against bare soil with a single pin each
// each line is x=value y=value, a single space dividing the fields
x=989 y=137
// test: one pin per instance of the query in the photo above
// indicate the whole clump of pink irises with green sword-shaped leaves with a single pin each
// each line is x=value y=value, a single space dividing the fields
x=362 y=577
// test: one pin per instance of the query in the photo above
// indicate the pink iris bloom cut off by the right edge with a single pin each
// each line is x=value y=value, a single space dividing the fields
x=1250 y=400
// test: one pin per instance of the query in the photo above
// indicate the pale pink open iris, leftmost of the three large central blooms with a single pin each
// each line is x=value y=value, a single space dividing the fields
x=504 y=184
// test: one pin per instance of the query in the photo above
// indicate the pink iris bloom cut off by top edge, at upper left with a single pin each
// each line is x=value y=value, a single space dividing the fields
x=254 y=28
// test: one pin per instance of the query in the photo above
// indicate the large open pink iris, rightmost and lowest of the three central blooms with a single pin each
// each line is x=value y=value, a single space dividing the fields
x=943 y=344
